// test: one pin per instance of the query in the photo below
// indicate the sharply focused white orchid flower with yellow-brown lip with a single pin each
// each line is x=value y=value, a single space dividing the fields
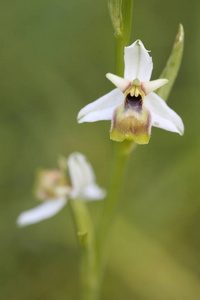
x=132 y=106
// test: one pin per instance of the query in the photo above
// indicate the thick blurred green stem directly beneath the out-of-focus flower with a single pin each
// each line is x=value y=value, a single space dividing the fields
x=85 y=234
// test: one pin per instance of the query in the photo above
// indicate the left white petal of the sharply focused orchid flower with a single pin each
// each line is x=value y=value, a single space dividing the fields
x=102 y=108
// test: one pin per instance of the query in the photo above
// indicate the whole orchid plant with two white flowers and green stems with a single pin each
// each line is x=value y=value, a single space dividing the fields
x=133 y=108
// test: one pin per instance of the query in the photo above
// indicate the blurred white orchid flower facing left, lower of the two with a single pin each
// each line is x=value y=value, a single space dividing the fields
x=54 y=189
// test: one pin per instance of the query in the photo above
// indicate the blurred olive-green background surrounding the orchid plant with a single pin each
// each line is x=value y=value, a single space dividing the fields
x=54 y=55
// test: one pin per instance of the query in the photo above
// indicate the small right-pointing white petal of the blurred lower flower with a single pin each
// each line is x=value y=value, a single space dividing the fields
x=93 y=192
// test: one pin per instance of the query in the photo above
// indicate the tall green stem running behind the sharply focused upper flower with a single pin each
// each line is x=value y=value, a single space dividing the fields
x=121 y=16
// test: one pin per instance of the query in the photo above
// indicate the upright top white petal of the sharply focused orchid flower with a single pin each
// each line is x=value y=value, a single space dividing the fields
x=138 y=63
